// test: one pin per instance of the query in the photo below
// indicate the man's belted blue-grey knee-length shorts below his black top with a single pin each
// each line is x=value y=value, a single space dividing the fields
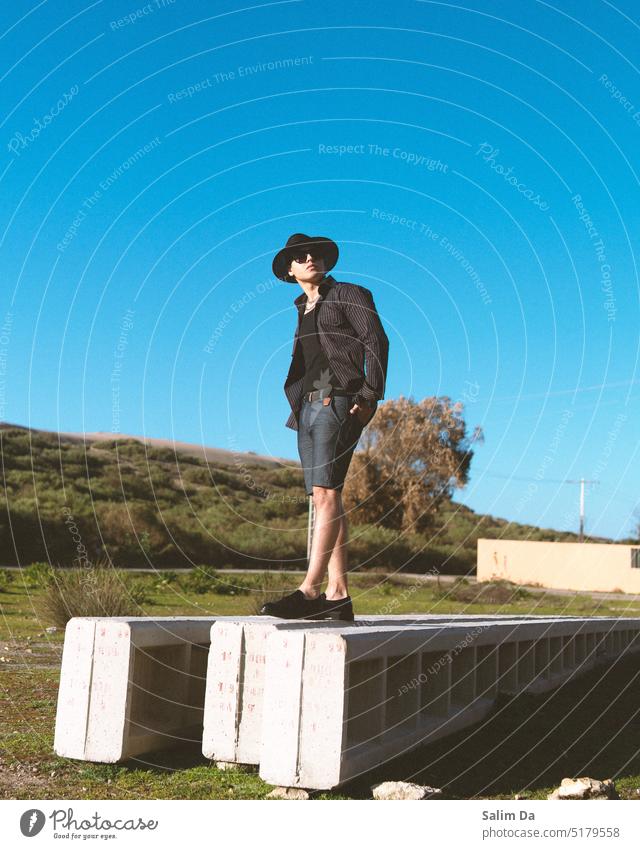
x=327 y=437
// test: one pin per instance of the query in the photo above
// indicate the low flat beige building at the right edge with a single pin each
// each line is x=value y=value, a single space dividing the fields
x=561 y=565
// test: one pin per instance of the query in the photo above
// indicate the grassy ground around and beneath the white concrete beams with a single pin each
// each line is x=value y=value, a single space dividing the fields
x=526 y=746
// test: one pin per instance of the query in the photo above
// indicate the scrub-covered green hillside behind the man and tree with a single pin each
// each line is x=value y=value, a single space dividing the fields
x=169 y=508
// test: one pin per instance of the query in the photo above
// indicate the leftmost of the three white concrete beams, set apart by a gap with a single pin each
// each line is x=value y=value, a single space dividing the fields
x=131 y=685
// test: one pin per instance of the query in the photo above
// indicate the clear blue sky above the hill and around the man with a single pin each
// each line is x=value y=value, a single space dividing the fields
x=155 y=156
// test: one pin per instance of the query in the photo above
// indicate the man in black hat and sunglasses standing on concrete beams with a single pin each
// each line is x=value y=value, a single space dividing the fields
x=332 y=400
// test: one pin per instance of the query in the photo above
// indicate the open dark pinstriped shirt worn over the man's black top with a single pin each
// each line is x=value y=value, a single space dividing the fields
x=349 y=330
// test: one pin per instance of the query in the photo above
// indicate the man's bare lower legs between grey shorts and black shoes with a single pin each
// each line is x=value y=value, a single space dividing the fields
x=328 y=532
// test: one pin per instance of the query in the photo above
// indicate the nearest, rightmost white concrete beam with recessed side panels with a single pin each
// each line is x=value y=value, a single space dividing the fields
x=338 y=703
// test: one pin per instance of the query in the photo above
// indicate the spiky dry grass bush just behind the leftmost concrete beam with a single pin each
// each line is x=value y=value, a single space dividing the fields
x=97 y=590
